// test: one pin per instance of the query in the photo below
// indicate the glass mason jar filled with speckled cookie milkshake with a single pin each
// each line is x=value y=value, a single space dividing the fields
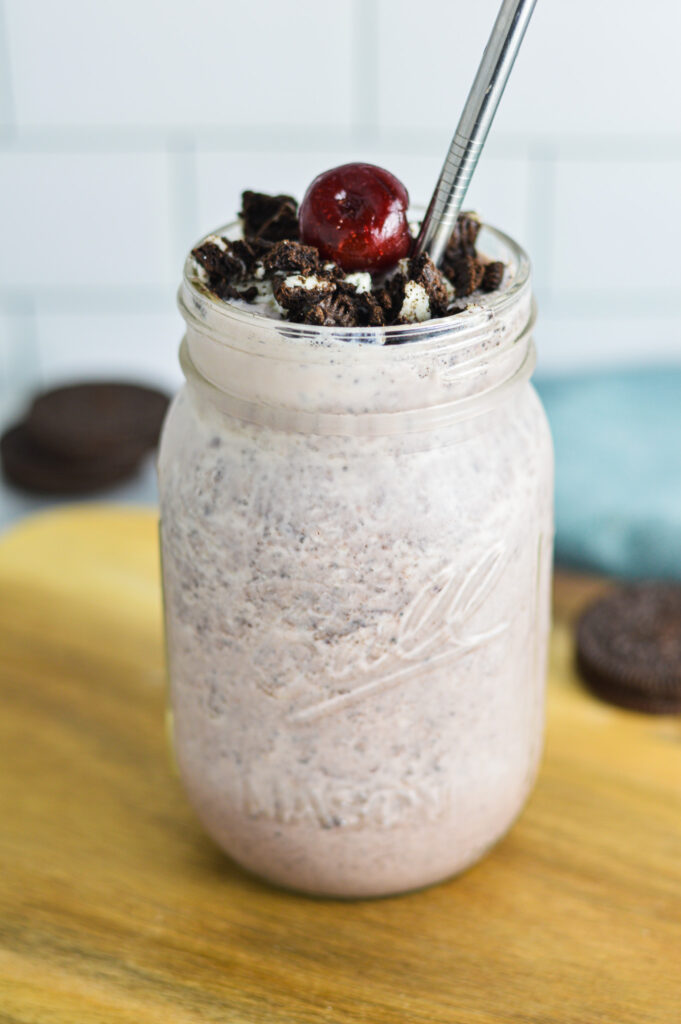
x=357 y=542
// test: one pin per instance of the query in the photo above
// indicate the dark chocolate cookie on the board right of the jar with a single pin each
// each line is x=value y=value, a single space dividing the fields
x=629 y=648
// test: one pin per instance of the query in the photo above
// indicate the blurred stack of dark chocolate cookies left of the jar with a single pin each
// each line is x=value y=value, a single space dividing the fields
x=83 y=438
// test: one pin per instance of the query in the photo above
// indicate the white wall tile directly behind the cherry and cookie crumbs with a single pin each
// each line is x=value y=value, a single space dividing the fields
x=499 y=193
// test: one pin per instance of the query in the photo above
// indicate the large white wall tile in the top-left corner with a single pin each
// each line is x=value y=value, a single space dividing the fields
x=205 y=63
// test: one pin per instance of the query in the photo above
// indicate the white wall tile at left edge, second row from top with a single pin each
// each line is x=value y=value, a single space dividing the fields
x=84 y=221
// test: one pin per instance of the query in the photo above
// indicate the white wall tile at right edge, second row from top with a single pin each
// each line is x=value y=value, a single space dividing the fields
x=617 y=226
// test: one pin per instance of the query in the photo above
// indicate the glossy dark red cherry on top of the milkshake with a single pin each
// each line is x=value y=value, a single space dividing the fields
x=357 y=216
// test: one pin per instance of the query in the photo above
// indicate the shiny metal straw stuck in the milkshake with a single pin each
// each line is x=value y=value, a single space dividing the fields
x=474 y=126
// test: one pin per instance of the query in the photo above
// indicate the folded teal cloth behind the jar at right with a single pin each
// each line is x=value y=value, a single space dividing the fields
x=618 y=444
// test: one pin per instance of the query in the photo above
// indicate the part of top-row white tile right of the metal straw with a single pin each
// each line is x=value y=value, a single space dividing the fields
x=598 y=68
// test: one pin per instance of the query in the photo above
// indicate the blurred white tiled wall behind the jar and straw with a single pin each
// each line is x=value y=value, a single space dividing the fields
x=129 y=130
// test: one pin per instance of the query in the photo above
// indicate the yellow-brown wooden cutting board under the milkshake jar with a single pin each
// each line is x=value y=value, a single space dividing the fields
x=115 y=907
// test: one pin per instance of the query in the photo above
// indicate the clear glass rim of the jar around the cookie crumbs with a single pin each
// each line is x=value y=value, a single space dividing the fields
x=203 y=311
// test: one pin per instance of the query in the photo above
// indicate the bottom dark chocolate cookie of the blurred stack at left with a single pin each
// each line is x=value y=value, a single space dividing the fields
x=29 y=466
